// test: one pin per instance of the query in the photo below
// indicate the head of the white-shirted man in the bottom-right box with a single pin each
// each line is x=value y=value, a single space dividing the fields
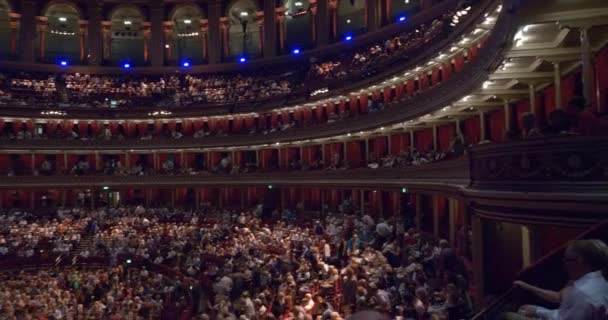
x=584 y=256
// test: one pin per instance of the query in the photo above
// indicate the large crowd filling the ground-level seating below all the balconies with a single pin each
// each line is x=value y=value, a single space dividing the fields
x=250 y=264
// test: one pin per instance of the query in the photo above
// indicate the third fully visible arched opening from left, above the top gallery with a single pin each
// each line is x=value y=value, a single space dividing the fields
x=188 y=38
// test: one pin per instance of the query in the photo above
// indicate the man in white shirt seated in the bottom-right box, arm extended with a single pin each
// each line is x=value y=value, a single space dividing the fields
x=586 y=296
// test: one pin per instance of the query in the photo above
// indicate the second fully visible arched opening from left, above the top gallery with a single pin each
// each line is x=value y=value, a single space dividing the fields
x=127 y=36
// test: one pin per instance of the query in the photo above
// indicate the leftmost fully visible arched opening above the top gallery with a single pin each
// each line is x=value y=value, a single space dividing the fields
x=61 y=39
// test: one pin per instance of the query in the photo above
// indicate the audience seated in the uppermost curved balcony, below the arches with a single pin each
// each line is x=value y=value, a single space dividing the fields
x=84 y=90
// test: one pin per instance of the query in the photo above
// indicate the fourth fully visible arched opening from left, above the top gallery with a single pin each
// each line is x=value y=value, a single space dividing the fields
x=243 y=32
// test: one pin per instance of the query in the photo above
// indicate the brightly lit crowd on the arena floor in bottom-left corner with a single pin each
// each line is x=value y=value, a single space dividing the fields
x=90 y=293
